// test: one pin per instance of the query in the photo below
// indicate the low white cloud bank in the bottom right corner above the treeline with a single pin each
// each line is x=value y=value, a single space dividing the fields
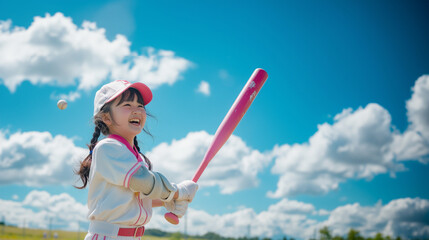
x=406 y=217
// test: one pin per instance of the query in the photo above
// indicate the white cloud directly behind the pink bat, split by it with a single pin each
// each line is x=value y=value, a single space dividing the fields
x=235 y=166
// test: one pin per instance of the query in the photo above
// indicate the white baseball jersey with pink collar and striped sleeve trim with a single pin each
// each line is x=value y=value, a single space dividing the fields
x=109 y=198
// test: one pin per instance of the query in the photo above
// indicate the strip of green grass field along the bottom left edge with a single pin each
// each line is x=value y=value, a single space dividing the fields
x=13 y=233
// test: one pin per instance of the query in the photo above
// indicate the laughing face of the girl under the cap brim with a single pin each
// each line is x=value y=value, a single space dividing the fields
x=126 y=119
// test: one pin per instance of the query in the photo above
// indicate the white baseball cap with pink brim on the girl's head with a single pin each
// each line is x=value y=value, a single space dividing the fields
x=112 y=90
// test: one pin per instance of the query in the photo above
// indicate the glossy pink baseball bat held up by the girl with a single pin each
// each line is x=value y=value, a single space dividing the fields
x=229 y=123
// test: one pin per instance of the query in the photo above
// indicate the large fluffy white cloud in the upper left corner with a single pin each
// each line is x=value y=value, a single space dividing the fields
x=53 y=50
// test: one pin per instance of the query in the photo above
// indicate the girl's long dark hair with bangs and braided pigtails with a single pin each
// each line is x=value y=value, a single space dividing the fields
x=101 y=127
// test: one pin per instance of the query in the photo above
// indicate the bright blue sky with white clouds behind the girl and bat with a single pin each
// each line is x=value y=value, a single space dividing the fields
x=337 y=137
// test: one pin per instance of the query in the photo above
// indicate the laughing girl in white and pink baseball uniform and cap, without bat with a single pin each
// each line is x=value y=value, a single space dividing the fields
x=122 y=186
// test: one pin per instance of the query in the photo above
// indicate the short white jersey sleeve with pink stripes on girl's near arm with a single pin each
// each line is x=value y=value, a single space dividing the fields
x=114 y=162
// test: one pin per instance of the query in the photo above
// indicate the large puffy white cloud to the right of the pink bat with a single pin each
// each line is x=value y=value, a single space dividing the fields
x=356 y=145
